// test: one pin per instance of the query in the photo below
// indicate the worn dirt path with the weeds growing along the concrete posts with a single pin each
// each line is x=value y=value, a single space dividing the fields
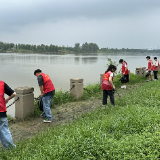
x=67 y=109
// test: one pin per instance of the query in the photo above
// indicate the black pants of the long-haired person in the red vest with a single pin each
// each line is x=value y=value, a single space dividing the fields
x=105 y=96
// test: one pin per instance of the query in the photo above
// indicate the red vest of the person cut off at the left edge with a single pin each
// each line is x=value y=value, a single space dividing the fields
x=2 y=99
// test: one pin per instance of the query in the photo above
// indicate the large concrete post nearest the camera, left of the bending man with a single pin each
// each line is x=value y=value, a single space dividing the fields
x=25 y=105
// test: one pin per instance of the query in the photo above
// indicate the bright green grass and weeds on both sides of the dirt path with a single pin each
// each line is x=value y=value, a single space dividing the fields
x=129 y=131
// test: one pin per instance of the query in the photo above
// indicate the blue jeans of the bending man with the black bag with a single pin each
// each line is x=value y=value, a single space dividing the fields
x=47 y=100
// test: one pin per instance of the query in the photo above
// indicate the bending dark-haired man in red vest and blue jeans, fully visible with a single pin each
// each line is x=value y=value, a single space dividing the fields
x=47 y=92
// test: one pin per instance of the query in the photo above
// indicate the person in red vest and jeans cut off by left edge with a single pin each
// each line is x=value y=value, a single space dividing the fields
x=5 y=135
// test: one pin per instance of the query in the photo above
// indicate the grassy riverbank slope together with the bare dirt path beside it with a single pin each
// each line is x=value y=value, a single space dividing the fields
x=125 y=131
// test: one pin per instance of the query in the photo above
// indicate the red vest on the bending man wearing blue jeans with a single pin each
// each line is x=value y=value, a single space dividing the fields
x=47 y=84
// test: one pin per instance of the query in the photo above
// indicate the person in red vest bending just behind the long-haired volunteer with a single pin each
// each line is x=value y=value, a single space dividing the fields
x=125 y=72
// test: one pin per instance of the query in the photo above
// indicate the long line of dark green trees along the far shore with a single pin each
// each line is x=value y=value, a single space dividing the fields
x=84 y=48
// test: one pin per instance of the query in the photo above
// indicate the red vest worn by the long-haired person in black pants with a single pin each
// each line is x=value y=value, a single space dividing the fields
x=105 y=83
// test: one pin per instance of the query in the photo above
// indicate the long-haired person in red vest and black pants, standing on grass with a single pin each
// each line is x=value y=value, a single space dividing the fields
x=108 y=86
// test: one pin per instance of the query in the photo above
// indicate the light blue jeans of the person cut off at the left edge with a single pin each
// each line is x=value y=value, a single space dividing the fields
x=5 y=135
